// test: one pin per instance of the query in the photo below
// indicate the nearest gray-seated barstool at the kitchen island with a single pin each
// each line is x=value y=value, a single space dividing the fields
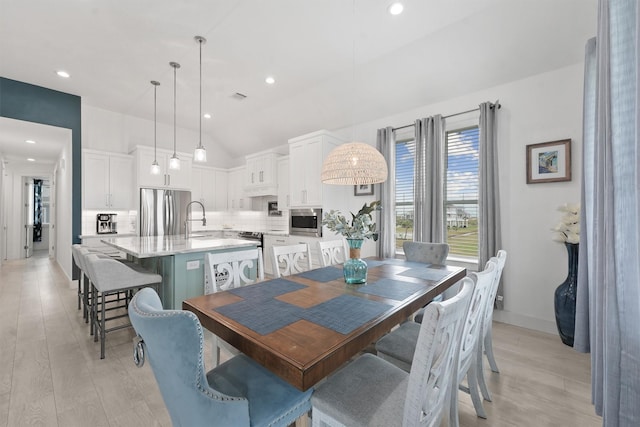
x=111 y=277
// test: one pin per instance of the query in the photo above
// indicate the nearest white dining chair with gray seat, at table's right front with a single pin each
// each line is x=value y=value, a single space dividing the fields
x=371 y=391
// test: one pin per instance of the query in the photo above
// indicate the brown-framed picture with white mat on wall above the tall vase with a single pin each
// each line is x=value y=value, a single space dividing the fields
x=549 y=162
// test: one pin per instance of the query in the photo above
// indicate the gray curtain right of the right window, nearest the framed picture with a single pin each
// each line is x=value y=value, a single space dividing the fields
x=490 y=236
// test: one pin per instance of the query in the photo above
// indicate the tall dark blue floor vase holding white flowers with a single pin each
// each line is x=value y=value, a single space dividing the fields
x=565 y=298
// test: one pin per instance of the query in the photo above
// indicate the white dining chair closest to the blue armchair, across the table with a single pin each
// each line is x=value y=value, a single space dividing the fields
x=228 y=270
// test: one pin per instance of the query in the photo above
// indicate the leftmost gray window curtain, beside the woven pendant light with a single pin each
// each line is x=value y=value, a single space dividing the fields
x=387 y=241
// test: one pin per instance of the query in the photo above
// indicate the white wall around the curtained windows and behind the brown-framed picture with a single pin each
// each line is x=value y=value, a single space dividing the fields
x=542 y=108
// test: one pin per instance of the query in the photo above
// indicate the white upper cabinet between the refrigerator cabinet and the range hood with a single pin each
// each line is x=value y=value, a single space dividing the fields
x=209 y=187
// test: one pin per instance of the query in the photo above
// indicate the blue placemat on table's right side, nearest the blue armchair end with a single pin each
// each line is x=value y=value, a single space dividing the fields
x=345 y=313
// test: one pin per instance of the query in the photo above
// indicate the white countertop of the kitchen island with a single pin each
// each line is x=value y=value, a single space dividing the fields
x=156 y=246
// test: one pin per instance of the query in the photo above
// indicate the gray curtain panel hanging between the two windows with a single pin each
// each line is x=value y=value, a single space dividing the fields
x=428 y=222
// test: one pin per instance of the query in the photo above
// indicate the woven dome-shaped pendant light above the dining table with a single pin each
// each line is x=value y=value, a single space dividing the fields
x=354 y=163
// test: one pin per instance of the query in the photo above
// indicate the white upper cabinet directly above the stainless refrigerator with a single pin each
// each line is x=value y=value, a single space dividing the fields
x=167 y=178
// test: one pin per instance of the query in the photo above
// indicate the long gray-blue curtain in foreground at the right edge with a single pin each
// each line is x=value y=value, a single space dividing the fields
x=608 y=300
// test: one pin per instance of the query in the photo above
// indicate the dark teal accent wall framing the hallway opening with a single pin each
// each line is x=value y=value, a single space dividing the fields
x=23 y=101
